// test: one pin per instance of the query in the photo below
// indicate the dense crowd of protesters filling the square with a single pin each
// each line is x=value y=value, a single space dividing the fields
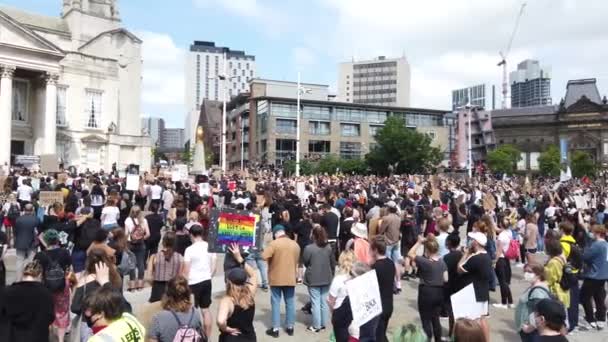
x=76 y=258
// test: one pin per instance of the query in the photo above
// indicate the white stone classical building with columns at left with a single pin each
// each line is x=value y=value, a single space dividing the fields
x=71 y=86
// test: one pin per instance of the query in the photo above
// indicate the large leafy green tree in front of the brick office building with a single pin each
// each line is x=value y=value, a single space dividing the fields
x=405 y=149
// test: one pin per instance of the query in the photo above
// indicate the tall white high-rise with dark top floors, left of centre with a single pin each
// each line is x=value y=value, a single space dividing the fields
x=204 y=62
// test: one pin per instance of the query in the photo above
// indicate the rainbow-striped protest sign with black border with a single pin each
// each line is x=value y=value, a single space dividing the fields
x=229 y=226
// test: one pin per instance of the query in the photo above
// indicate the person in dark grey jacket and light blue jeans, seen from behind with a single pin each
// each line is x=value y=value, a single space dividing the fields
x=320 y=263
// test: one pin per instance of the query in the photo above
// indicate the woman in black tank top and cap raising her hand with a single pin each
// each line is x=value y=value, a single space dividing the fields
x=237 y=308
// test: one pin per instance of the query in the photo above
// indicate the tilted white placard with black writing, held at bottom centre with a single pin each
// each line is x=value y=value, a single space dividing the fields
x=364 y=295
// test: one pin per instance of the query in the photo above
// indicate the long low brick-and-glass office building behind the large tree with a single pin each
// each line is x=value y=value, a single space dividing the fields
x=263 y=123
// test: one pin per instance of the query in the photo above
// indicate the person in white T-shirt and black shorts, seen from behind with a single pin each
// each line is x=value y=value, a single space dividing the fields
x=199 y=268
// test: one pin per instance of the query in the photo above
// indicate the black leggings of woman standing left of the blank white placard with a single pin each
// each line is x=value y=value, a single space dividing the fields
x=430 y=300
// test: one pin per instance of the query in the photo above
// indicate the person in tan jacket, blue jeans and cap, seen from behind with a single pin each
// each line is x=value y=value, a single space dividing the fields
x=282 y=255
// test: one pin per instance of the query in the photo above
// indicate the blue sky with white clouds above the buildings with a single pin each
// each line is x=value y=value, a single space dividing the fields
x=449 y=44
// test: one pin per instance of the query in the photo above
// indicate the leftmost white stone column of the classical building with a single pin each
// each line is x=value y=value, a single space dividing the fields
x=6 y=114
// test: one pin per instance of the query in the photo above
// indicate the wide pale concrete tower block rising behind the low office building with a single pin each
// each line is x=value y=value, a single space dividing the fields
x=382 y=82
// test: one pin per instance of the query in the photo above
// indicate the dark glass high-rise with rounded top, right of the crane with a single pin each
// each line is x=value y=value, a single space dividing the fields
x=530 y=85
